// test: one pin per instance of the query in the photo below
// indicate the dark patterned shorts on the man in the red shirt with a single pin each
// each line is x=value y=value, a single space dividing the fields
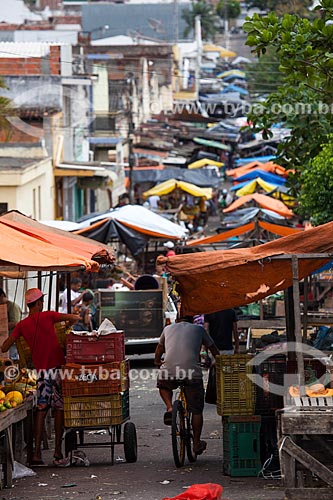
x=49 y=393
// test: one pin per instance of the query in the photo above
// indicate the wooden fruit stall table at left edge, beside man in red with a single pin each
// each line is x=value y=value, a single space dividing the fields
x=16 y=426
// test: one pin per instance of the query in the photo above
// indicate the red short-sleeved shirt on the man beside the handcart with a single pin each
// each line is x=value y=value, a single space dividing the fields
x=39 y=333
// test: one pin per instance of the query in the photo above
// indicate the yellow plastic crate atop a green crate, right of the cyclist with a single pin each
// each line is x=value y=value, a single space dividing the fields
x=235 y=390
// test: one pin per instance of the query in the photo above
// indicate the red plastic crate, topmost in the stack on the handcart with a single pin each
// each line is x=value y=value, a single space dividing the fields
x=92 y=349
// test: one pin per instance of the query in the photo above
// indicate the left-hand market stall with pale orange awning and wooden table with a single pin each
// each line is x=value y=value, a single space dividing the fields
x=30 y=246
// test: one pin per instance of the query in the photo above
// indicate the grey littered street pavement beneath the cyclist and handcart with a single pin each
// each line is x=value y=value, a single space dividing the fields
x=154 y=476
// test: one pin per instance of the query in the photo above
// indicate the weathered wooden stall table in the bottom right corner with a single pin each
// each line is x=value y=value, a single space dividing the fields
x=306 y=450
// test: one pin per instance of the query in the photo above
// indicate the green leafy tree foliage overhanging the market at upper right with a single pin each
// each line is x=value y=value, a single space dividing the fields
x=304 y=100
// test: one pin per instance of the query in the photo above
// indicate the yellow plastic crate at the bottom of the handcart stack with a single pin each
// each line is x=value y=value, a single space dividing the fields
x=96 y=411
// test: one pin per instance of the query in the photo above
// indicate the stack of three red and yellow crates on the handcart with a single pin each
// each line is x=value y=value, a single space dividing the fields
x=96 y=381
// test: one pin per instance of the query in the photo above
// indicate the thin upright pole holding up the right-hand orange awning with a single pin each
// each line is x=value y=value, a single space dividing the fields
x=298 y=330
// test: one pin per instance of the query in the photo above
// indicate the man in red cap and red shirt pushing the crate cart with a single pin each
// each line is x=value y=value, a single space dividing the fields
x=47 y=355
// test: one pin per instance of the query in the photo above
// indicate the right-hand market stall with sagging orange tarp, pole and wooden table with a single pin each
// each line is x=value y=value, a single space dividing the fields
x=235 y=277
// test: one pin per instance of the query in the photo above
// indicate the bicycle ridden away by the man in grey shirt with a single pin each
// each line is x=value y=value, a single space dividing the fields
x=181 y=430
